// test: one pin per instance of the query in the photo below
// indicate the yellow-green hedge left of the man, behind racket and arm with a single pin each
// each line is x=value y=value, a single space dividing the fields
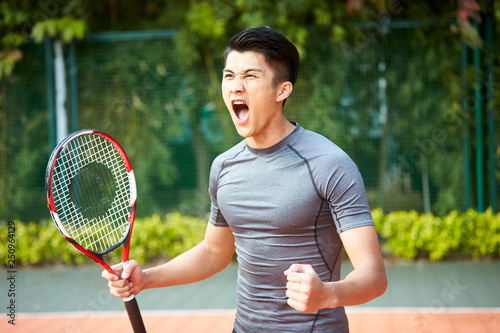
x=153 y=238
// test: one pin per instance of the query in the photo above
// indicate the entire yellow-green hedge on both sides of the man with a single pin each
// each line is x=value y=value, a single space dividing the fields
x=406 y=235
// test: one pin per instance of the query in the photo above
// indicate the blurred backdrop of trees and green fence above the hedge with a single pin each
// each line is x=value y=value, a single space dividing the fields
x=406 y=88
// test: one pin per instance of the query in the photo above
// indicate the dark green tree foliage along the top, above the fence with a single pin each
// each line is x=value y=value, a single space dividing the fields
x=212 y=22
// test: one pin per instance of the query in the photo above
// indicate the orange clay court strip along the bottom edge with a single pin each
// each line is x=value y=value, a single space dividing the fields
x=366 y=321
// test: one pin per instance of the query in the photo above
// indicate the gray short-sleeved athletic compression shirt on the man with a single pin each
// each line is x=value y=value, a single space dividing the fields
x=286 y=204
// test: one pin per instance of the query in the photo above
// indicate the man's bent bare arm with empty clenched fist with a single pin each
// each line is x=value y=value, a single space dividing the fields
x=307 y=293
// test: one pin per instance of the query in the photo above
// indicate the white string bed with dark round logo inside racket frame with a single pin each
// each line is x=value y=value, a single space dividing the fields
x=91 y=192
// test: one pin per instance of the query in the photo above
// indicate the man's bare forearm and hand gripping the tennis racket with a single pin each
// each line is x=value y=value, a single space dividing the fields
x=209 y=257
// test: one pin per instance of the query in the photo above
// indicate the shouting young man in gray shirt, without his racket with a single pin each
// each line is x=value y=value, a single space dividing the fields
x=287 y=199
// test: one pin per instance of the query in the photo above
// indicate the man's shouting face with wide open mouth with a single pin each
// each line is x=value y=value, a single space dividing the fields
x=251 y=95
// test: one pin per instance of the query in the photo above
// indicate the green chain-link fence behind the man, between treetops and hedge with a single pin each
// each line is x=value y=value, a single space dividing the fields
x=389 y=101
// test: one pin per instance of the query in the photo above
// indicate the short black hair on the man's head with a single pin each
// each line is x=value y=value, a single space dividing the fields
x=278 y=51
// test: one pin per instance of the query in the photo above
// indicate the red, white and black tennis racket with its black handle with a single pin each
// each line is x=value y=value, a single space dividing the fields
x=91 y=195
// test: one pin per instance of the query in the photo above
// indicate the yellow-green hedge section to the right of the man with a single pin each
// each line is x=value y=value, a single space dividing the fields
x=410 y=235
